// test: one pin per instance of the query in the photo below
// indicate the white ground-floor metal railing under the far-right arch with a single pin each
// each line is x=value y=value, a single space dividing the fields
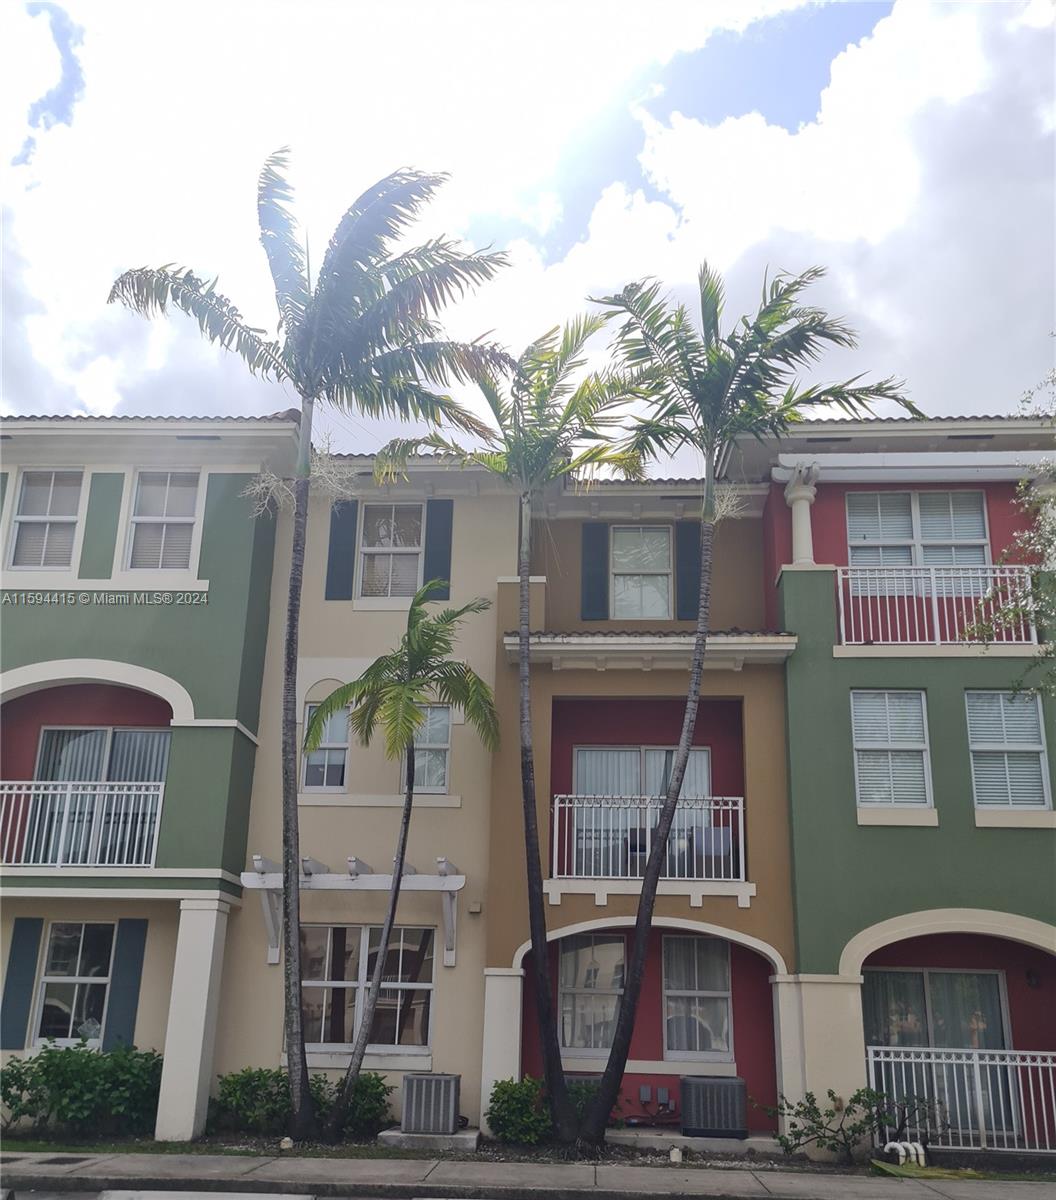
x=971 y=1100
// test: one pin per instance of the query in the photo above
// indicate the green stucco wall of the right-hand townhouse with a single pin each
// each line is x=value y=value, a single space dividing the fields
x=847 y=877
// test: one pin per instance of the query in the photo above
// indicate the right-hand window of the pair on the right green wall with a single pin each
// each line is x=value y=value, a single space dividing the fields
x=1010 y=767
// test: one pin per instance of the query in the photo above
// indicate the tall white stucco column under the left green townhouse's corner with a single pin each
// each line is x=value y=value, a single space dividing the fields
x=191 y=1031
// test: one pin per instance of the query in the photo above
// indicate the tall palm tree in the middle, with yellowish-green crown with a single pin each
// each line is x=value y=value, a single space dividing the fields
x=556 y=424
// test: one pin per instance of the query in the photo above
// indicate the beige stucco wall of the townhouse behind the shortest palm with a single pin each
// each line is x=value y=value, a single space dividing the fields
x=338 y=641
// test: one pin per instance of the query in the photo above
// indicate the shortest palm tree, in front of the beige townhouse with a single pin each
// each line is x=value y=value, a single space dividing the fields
x=392 y=693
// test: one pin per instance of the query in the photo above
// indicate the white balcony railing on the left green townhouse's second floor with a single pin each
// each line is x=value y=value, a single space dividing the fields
x=80 y=824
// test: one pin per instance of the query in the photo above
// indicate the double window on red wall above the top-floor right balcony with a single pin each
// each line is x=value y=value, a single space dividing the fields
x=917 y=530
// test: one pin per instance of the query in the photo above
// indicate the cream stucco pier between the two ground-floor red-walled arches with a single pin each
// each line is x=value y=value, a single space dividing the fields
x=819 y=1034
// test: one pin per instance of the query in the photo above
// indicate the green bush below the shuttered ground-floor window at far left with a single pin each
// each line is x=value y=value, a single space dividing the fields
x=76 y=1090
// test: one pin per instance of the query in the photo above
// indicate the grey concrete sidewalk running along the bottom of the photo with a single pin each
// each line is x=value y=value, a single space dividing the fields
x=409 y=1179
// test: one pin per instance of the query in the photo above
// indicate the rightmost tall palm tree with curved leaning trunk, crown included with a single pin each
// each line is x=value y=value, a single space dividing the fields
x=705 y=391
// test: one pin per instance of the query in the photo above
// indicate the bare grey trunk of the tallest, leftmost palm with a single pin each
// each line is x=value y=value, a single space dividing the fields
x=303 y=1120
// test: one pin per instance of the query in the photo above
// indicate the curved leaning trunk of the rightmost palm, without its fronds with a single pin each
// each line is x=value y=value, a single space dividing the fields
x=593 y=1131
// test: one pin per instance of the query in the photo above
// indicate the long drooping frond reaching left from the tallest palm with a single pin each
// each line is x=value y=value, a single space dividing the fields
x=151 y=291
